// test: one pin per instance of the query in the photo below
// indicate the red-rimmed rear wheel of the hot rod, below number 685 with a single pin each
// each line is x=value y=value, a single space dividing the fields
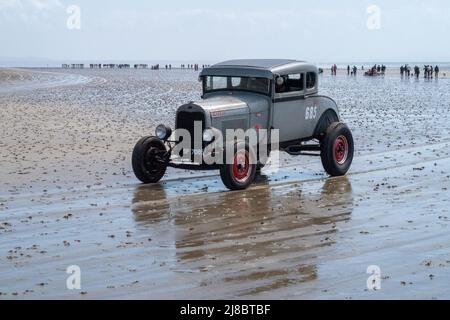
x=337 y=150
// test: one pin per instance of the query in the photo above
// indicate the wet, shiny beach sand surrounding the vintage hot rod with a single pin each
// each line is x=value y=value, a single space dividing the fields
x=68 y=197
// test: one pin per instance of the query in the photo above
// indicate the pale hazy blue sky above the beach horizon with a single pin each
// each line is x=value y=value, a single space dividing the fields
x=200 y=30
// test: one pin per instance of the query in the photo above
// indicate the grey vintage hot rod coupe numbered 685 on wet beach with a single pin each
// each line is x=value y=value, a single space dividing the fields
x=257 y=94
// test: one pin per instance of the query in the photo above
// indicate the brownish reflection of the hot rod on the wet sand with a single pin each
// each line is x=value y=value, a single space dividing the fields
x=250 y=242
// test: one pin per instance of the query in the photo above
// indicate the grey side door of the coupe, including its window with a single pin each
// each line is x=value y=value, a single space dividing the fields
x=289 y=106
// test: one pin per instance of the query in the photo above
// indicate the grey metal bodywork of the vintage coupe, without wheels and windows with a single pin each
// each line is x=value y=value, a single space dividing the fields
x=297 y=115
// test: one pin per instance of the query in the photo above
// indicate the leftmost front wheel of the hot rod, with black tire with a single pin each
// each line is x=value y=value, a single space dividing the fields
x=146 y=166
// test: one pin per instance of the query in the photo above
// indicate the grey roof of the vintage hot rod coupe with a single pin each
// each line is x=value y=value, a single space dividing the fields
x=266 y=68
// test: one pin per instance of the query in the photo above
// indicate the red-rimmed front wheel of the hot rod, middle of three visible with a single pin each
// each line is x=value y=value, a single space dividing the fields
x=239 y=176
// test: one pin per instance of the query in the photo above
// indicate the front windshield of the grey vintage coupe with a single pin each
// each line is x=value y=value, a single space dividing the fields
x=220 y=83
